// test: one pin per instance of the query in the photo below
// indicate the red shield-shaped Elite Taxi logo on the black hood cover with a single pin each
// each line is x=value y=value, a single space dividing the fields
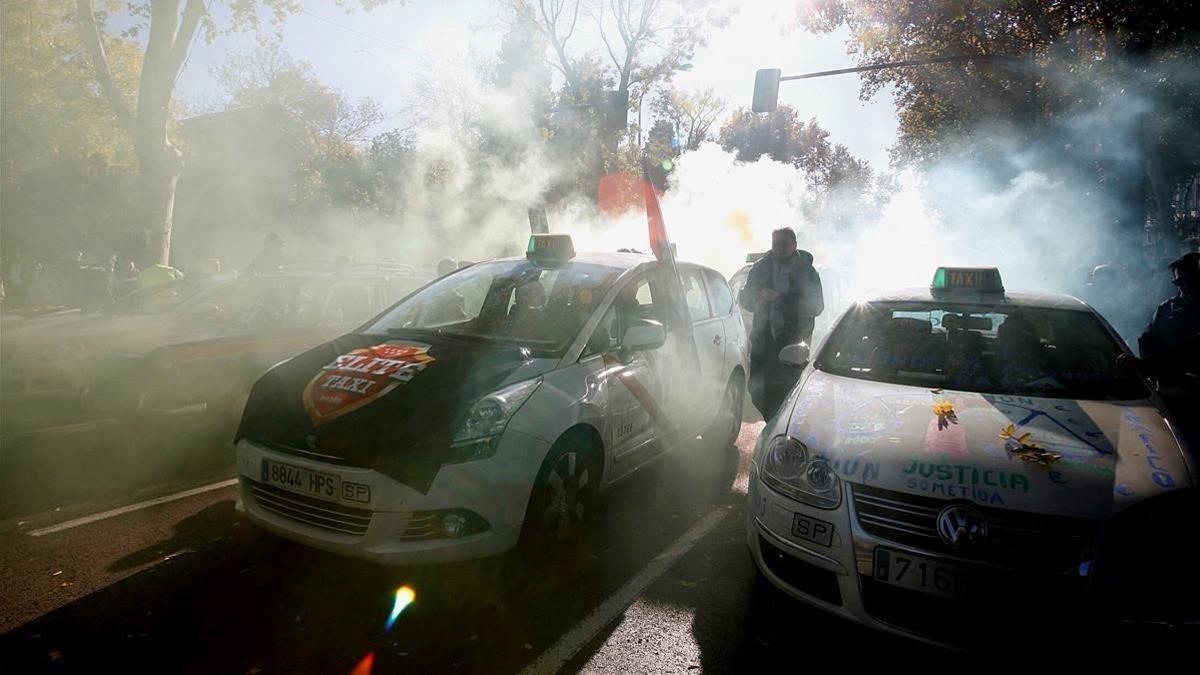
x=362 y=377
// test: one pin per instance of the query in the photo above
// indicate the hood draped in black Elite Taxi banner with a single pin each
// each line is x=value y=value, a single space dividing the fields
x=387 y=403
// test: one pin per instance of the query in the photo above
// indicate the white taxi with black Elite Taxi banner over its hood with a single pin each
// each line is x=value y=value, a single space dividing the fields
x=493 y=405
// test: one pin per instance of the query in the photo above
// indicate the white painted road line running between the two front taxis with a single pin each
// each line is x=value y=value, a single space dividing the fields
x=567 y=647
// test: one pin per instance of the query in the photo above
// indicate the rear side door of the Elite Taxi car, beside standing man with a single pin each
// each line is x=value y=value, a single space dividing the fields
x=704 y=393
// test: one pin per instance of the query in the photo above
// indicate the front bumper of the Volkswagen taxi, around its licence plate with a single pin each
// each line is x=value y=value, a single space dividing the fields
x=839 y=580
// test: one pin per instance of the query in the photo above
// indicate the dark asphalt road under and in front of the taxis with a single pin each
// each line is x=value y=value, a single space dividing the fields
x=187 y=587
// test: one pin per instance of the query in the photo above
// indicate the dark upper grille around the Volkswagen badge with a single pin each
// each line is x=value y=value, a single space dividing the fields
x=1023 y=541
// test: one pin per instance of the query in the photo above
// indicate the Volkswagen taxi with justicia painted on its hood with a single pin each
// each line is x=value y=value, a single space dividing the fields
x=969 y=467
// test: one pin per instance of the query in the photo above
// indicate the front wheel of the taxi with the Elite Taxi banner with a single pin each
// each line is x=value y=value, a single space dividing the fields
x=563 y=503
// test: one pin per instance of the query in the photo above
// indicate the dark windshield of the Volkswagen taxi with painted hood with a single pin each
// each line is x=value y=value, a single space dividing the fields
x=1039 y=353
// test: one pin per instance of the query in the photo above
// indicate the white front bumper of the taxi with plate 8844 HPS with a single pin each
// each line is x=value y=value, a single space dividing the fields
x=382 y=531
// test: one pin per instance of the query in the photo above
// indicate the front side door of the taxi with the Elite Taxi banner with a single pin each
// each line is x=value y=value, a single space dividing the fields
x=629 y=391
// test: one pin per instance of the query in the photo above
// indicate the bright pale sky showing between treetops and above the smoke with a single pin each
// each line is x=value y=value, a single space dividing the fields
x=380 y=53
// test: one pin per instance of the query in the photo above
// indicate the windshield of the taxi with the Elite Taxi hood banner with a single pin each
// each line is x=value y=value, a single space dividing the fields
x=513 y=301
